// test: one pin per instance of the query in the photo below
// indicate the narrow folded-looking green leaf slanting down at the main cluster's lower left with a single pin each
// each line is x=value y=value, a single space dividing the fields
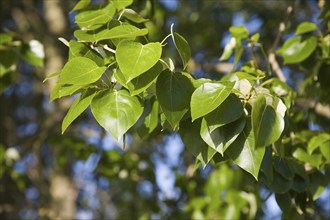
x=78 y=106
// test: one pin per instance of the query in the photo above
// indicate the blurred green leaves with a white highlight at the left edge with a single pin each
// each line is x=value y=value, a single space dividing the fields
x=12 y=50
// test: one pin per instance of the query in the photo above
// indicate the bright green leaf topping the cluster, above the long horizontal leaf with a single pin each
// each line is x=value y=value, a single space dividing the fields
x=93 y=19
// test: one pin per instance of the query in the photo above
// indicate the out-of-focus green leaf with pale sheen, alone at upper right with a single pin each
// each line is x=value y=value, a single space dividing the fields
x=296 y=50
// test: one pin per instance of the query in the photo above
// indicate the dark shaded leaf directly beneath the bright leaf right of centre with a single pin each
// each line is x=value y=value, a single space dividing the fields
x=230 y=110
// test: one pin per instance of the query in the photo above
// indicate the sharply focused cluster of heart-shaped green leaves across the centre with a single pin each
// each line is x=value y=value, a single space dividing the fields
x=126 y=82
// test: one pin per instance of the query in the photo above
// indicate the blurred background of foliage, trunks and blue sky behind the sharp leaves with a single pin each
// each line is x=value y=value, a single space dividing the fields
x=85 y=174
